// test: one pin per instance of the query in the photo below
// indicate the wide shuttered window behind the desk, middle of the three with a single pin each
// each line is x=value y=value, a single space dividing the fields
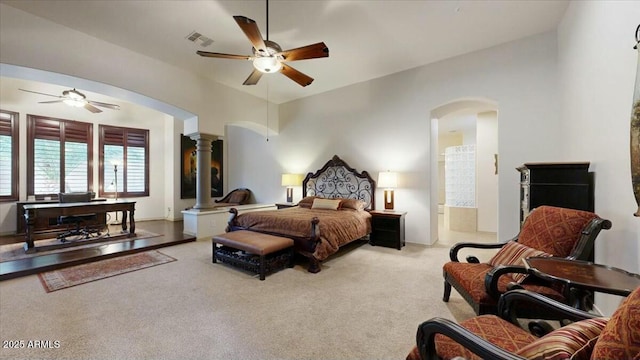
x=59 y=156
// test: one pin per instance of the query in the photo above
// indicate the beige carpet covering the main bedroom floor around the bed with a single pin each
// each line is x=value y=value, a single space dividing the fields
x=365 y=304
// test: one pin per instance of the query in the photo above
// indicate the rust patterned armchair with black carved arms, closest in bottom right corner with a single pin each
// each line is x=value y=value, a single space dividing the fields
x=500 y=337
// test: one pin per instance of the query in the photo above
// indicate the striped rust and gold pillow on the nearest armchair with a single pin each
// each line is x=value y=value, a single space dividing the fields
x=564 y=342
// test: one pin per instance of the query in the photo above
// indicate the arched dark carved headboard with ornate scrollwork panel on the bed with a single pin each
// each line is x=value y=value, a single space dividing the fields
x=336 y=179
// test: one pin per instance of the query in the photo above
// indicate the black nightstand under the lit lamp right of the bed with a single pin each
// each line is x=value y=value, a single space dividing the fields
x=387 y=228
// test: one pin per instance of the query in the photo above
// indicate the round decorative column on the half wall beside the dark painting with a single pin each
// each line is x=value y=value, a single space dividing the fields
x=203 y=167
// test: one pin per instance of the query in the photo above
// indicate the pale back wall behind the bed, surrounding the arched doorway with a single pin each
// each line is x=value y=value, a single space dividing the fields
x=384 y=124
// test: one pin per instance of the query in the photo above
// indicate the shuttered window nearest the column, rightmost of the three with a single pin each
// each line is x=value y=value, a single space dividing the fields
x=124 y=162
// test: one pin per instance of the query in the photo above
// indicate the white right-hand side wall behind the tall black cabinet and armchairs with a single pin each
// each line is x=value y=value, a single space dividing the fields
x=598 y=68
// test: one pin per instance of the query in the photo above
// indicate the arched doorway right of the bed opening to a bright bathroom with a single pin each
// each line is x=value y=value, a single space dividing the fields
x=465 y=138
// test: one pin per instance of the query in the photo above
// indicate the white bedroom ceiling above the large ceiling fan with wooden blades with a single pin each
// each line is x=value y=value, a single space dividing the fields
x=367 y=39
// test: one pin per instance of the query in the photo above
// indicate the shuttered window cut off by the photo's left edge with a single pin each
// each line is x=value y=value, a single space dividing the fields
x=9 y=156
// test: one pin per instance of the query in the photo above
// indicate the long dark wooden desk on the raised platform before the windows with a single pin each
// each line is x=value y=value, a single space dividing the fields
x=34 y=211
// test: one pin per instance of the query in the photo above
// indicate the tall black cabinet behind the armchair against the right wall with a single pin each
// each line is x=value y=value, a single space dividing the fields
x=568 y=185
